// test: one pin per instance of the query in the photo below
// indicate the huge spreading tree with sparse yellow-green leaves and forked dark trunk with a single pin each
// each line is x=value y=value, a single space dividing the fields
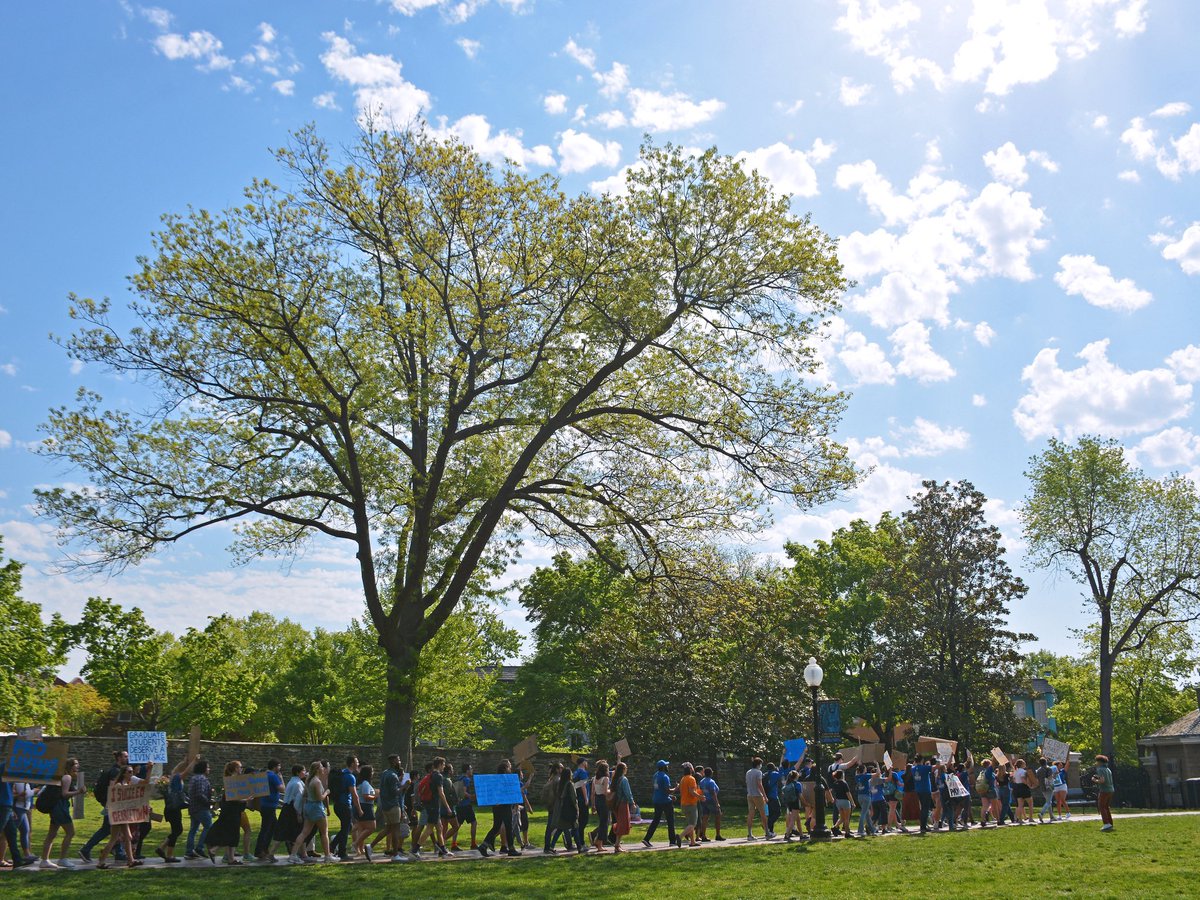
x=418 y=355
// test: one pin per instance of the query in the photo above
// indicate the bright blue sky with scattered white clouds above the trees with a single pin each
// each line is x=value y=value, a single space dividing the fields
x=1013 y=183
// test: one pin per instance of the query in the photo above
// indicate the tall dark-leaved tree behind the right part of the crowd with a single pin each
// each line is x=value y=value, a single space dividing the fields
x=955 y=590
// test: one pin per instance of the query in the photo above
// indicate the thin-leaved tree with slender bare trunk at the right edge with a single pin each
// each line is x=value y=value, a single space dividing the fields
x=1131 y=541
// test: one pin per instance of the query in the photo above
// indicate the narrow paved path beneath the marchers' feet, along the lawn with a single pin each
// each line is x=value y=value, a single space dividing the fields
x=633 y=847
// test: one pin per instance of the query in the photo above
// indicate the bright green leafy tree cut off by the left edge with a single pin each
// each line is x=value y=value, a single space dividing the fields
x=31 y=652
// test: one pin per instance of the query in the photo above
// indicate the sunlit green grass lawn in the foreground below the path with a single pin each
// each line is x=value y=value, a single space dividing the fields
x=1144 y=857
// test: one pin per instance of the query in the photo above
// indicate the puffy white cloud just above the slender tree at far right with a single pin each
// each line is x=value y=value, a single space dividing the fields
x=1097 y=398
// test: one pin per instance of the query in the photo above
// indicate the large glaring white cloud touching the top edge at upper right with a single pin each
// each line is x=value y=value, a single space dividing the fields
x=1006 y=43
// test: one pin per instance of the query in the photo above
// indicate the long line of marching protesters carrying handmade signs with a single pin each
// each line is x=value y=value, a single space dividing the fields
x=325 y=813
